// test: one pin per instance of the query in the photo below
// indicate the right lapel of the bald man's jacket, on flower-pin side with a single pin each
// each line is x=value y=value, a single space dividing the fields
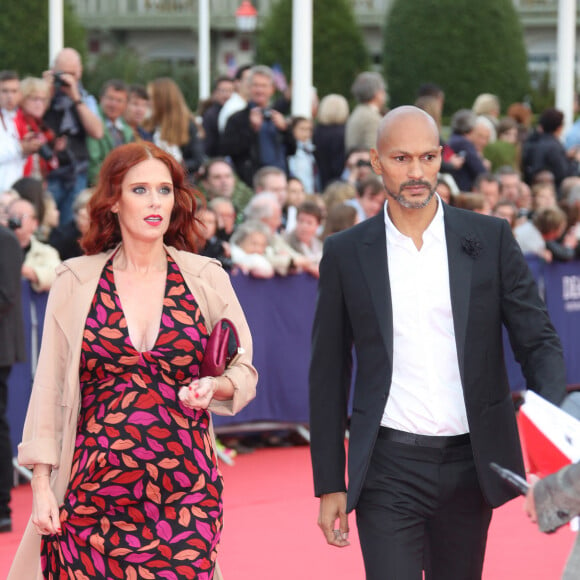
x=460 y=271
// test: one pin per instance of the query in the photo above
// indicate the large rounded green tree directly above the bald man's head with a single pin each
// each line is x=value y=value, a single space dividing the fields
x=464 y=46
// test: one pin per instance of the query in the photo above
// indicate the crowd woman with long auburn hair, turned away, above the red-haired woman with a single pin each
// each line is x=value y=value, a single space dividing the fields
x=173 y=125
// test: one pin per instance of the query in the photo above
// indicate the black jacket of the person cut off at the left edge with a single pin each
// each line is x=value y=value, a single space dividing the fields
x=12 y=347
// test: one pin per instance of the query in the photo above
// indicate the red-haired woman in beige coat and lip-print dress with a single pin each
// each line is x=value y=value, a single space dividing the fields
x=118 y=434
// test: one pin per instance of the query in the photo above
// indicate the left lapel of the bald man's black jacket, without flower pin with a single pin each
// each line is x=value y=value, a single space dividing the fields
x=373 y=261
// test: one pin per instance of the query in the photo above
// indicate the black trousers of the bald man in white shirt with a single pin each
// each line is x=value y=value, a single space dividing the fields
x=421 y=508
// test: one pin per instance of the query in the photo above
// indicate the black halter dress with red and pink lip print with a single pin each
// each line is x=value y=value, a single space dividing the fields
x=144 y=496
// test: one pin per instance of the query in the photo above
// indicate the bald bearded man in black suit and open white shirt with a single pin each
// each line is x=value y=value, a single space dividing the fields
x=421 y=290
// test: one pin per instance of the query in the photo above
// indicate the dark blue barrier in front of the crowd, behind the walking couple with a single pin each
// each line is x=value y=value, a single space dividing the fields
x=280 y=313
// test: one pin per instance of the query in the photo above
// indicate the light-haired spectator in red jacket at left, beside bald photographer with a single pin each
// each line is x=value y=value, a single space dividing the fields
x=30 y=124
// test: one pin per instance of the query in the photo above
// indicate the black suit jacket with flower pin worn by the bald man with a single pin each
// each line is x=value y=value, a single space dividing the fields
x=490 y=284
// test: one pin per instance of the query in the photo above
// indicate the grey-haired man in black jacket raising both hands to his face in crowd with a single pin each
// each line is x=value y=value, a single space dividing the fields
x=258 y=136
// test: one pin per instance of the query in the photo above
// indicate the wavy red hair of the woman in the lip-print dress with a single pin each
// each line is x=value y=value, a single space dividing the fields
x=104 y=232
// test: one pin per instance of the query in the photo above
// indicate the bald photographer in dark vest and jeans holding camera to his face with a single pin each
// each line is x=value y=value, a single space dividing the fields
x=72 y=114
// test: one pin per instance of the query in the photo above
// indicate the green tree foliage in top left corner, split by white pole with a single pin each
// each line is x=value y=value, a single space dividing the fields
x=24 y=35
